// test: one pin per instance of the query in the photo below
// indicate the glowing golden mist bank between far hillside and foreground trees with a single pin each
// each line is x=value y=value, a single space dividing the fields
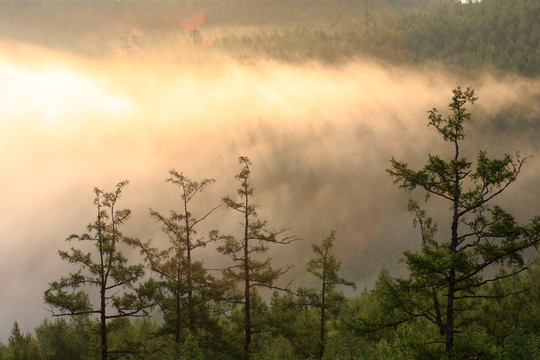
x=319 y=137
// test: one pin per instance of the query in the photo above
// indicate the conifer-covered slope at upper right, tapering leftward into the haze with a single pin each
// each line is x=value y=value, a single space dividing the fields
x=490 y=35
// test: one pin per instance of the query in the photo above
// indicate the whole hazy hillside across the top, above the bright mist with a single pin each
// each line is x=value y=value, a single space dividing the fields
x=496 y=36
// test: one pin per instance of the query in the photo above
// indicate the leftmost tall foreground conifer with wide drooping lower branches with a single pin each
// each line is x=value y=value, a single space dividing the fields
x=119 y=284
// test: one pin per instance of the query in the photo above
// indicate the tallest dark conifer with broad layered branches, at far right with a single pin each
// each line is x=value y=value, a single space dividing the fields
x=446 y=274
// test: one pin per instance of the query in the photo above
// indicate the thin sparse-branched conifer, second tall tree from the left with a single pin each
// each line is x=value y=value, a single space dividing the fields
x=186 y=285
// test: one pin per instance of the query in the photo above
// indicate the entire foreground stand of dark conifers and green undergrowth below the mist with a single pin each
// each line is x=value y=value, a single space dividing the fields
x=470 y=293
